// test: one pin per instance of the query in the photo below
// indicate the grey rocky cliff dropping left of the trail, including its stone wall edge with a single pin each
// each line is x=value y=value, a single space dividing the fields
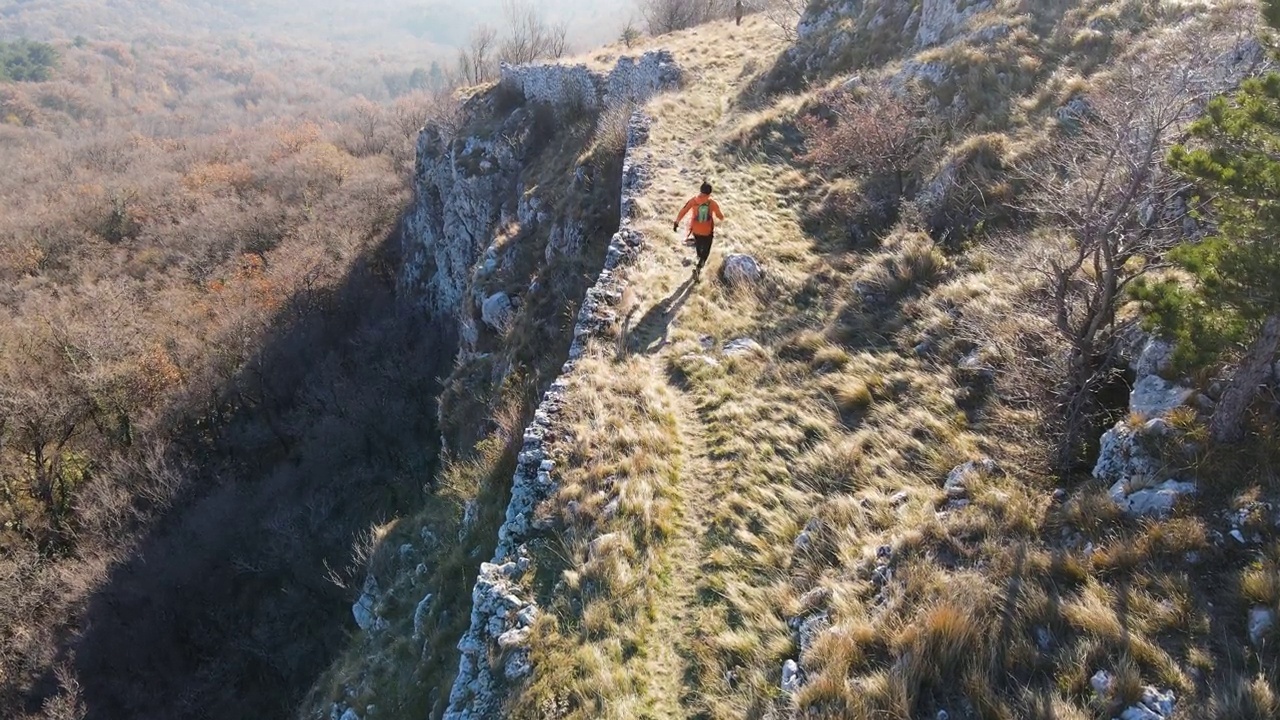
x=516 y=221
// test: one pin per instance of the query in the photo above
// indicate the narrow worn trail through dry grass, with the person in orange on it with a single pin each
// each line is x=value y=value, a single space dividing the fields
x=688 y=135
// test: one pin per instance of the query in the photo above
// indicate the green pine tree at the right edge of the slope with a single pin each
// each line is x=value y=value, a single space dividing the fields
x=1233 y=299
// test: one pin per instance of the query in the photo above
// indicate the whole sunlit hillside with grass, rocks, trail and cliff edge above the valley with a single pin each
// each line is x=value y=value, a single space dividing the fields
x=849 y=471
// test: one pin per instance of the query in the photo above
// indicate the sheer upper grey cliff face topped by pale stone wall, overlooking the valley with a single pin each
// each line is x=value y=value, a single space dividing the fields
x=469 y=185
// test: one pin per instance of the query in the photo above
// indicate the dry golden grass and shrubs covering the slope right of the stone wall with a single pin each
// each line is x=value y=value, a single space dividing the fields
x=799 y=511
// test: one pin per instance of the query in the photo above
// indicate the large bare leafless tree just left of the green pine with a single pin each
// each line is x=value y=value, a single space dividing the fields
x=1103 y=181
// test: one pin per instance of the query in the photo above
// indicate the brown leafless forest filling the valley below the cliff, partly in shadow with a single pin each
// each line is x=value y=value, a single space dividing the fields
x=207 y=388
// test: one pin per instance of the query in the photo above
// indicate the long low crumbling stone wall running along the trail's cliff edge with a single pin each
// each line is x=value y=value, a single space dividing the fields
x=504 y=610
